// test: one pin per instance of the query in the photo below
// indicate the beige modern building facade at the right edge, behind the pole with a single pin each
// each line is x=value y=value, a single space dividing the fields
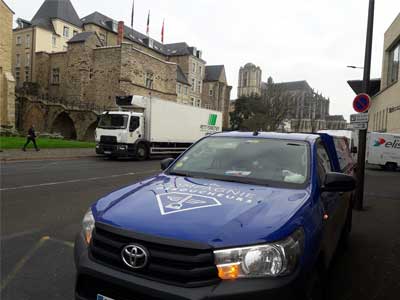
x=384 y=114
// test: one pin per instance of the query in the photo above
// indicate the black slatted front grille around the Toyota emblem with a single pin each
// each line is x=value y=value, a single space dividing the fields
x=169 y=261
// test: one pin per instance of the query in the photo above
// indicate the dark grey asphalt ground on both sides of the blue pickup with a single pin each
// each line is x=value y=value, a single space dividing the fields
x=42 y=204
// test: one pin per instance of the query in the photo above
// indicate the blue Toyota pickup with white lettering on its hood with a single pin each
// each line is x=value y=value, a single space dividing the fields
x=237 y=216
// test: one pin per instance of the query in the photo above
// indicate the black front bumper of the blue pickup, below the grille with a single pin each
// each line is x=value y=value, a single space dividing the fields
x=94 y=278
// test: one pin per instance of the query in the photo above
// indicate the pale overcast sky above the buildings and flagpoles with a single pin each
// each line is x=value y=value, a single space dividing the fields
x=290 y=40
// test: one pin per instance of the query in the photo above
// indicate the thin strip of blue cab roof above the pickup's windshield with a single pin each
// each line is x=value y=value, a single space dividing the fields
x=271 y=135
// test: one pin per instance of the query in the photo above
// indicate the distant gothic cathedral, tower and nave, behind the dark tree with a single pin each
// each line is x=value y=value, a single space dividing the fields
x=308 y=110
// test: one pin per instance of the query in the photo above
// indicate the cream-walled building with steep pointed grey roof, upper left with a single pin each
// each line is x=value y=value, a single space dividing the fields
x=52 y=26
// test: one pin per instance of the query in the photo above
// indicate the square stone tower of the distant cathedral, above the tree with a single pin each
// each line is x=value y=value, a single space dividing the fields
x=249 y=81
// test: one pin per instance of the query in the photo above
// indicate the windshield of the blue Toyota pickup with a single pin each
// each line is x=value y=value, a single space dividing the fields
x=271 y=162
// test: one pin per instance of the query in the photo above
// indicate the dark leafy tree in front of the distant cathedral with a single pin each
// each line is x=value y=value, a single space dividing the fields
x=265 y=113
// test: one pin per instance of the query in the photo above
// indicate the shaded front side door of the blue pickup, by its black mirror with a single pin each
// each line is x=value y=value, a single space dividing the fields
x=333 y=203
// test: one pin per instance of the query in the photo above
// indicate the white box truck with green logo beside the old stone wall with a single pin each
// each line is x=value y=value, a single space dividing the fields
x=145 y=126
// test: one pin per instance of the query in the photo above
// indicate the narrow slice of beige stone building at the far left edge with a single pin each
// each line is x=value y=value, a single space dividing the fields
x=7 y=83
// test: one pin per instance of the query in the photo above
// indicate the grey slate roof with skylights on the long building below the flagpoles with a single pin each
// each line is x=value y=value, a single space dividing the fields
x=175 y=49
